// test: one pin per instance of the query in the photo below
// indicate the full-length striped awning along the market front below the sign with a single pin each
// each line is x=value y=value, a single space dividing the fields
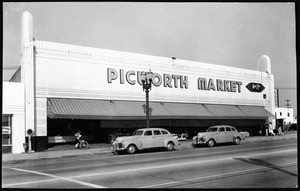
x=116 y=109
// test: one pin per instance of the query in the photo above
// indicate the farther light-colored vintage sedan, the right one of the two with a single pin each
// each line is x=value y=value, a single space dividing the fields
x=218 y=134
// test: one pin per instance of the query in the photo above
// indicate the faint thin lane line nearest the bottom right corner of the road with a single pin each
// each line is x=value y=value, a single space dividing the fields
x=216 y=175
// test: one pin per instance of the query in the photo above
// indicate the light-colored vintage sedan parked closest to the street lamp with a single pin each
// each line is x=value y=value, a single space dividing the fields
x=145 y=138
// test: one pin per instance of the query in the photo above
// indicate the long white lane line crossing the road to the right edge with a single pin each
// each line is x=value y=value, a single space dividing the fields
x=159 y=167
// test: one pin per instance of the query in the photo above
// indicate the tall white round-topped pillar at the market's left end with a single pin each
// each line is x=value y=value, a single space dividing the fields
x=27 y=69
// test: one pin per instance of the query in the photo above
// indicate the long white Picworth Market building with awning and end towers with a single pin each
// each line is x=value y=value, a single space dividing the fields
x=69 y=87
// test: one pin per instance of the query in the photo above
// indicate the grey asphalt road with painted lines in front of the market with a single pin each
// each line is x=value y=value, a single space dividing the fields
x=249 y=165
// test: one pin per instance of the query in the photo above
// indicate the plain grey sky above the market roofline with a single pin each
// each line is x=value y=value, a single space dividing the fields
x=229 y=34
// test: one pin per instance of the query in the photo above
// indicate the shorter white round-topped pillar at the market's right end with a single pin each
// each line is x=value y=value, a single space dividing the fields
x=264 y=65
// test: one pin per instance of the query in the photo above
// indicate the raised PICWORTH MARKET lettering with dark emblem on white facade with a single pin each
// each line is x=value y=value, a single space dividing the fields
x=175 y=81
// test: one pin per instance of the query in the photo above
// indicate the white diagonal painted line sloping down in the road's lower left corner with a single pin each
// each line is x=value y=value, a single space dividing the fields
x=55 y=177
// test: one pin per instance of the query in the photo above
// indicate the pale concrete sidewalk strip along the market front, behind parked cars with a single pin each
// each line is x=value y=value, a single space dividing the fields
x=60 y=151
